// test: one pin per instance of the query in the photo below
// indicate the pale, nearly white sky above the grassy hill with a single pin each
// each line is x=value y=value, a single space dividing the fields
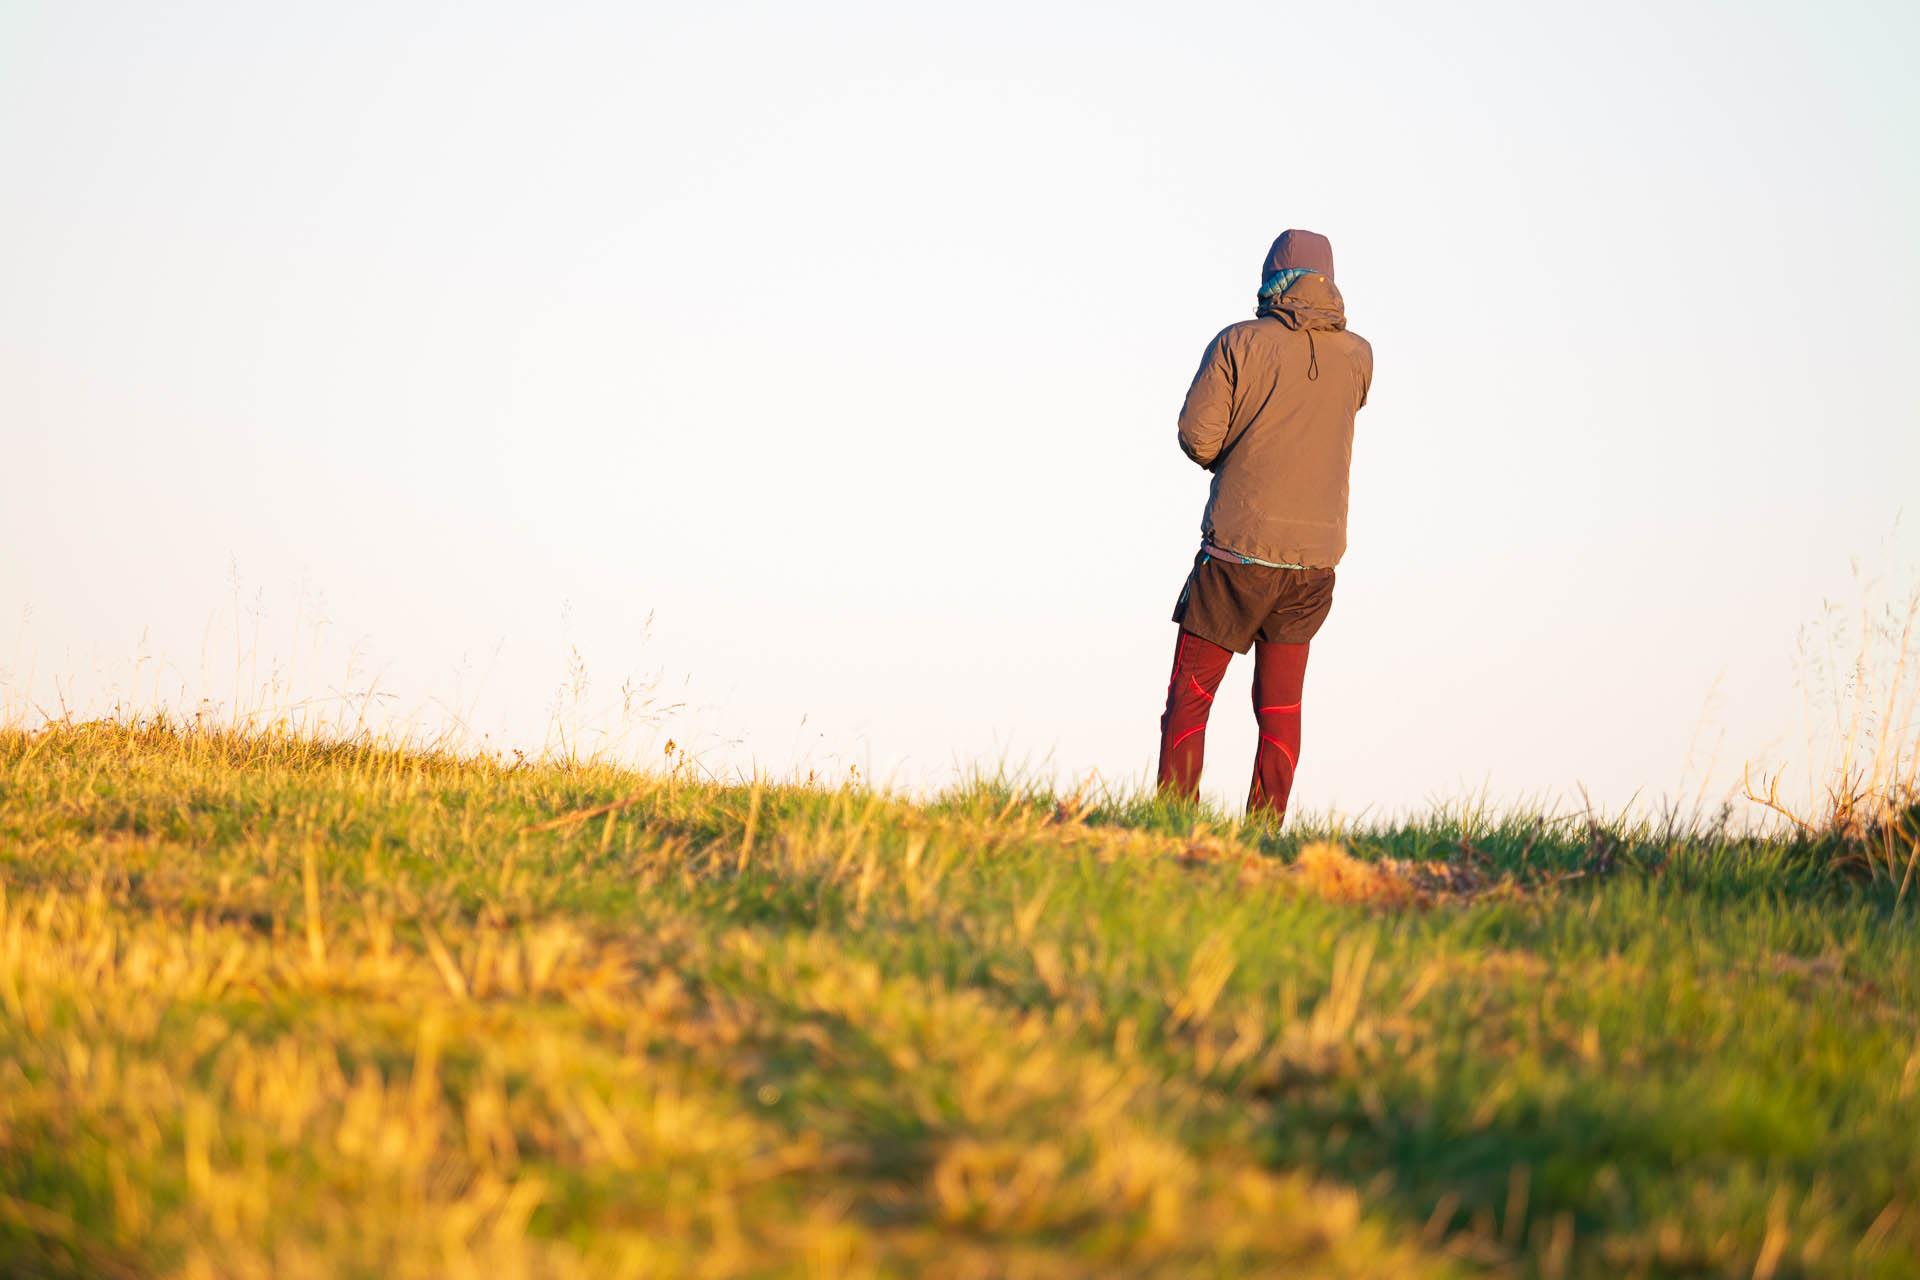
x=846 y=341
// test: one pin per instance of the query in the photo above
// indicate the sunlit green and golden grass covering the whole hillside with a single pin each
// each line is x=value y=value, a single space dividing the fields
x=276 y=1008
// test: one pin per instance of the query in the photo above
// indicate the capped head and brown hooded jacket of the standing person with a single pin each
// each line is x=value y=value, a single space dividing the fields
x=1272 y=414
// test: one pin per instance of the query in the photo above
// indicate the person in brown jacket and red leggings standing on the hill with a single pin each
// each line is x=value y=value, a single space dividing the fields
x=1272 y=415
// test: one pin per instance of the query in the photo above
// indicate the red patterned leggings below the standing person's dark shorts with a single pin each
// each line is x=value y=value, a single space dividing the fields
x=1199 y=665
